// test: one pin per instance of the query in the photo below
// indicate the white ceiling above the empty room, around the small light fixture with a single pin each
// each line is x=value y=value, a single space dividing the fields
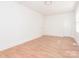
x=56 y=7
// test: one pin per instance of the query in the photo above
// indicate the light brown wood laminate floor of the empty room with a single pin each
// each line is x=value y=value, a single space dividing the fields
x=44 y=47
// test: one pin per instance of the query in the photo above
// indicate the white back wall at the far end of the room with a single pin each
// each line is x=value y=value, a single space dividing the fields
x=60 y=24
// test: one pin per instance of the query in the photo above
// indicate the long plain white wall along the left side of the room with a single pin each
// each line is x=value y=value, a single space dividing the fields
x=18 y=24
